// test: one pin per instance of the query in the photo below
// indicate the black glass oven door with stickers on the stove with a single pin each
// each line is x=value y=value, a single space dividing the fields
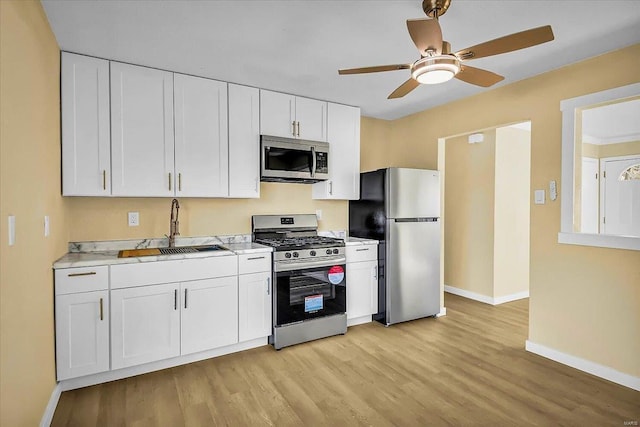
x=308 y=293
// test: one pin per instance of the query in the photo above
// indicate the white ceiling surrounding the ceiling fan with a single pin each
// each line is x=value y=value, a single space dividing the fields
x=298 y=46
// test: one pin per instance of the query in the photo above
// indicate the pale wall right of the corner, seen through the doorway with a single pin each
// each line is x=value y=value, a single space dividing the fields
x=511 y=220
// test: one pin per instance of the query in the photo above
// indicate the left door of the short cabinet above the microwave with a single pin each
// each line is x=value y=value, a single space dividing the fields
x=277 y=114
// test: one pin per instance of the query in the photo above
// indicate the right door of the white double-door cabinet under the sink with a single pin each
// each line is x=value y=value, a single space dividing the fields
x=209 y=314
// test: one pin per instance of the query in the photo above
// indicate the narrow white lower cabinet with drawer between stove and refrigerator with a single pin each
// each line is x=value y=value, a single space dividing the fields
x=362 y=282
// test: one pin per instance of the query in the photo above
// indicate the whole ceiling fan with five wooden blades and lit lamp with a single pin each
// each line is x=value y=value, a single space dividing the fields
x=437 y=64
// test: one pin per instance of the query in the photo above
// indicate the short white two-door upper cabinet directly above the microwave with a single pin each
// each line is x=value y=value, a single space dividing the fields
x=292 y=116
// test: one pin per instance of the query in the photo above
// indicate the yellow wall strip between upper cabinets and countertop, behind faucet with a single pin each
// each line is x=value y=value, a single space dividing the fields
x=100 y=218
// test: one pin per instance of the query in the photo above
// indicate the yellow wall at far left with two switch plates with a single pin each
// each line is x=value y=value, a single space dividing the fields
x=29 y=189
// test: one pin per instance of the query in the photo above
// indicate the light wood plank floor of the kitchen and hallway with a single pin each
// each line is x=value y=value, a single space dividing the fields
x=467 y=368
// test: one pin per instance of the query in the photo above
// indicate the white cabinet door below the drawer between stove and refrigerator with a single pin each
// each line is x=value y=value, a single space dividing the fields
x=362 y=289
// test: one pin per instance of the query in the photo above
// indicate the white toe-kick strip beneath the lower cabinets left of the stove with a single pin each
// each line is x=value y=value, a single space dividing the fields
x=118 y=374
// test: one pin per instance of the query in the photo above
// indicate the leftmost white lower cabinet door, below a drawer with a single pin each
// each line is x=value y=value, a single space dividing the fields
x=82 y=334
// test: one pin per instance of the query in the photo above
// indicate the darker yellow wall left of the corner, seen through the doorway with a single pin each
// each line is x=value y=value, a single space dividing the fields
x=469 y=211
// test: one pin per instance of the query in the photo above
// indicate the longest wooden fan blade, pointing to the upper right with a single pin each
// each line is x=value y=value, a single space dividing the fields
x=516 y=41
